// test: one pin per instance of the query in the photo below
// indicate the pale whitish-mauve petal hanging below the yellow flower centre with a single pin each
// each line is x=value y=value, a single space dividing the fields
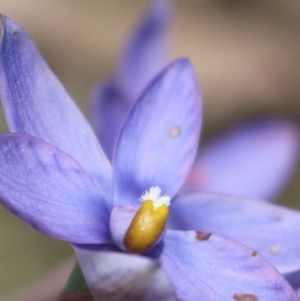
x=115 y=276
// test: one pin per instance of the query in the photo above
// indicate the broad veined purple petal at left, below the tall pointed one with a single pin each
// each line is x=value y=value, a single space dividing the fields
x=49 y=190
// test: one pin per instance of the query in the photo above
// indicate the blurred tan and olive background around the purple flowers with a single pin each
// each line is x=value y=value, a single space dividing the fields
x=246 y=54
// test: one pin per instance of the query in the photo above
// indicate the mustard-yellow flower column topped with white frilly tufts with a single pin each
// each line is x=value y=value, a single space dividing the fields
x=149 y=222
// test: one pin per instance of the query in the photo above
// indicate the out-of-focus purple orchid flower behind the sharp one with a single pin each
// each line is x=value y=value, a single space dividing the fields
x=255 y=160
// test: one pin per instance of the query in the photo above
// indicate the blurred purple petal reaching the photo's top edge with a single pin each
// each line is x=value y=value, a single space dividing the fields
x=146 y=53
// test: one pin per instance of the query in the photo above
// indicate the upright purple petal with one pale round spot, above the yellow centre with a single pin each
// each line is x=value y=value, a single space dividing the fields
x=159 y=139
